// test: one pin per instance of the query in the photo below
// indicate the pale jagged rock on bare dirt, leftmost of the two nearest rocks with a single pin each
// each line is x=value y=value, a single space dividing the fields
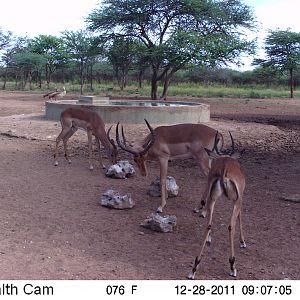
x=113 y=199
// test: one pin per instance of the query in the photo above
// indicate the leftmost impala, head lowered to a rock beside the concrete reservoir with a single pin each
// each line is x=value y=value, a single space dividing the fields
x=73 y=119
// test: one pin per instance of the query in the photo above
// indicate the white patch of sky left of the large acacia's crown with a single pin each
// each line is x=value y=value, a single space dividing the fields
x=49 y=17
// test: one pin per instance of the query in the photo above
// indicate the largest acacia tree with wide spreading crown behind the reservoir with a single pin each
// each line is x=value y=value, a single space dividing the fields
x=176 y=32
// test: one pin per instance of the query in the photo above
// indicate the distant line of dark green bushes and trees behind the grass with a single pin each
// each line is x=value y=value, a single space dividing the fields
x=103 y=73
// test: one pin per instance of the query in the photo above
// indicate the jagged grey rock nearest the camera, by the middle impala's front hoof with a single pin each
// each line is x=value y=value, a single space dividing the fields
x=160 y=223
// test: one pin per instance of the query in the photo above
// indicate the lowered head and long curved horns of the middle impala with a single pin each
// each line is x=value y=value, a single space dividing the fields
x=140 y=156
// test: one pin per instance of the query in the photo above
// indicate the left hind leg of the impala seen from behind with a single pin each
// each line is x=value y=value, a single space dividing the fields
x=206 y=238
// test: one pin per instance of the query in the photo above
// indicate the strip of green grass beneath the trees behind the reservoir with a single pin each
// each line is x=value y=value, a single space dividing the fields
x=179 y=90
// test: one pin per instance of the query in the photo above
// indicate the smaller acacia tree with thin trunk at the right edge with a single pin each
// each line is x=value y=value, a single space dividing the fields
x=282 y=49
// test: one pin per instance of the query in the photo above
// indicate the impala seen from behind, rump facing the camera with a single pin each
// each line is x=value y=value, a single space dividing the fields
x=225 y=178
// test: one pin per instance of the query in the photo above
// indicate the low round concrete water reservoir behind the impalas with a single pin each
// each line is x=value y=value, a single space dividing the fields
x=134 y=111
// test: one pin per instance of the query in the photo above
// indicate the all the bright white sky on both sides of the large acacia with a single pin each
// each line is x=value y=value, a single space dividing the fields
x=51 y=17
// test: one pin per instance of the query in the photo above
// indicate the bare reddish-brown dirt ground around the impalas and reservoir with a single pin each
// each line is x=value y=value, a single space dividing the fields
x=53 y=226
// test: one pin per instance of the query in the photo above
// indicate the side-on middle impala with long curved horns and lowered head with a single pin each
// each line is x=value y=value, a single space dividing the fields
x=172 y=142
